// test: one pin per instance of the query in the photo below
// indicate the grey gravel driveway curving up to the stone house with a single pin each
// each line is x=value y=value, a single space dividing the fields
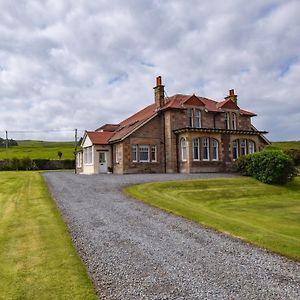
x=134 y=251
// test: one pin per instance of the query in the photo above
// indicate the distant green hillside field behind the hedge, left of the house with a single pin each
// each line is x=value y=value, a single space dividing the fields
x=39 y=149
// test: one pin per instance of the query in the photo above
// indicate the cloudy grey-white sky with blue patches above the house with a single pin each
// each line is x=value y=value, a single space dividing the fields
x=78 y=64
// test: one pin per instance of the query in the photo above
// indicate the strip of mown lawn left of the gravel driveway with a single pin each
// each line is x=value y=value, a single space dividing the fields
x=37 y=258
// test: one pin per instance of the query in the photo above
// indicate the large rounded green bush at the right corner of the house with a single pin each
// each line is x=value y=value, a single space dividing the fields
x=273 y=167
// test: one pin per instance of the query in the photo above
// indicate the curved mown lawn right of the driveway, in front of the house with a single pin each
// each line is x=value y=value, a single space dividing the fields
x=265 y=215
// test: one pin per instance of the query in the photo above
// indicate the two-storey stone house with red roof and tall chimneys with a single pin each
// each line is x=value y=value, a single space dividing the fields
x=177 y=134
